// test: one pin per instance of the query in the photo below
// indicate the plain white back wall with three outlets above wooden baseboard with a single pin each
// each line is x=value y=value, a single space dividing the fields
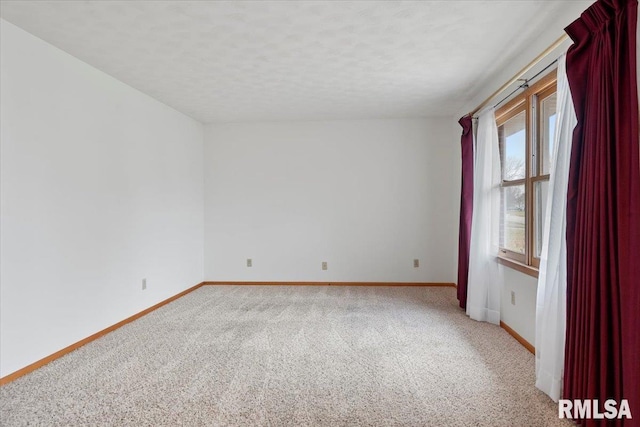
x=366 y=196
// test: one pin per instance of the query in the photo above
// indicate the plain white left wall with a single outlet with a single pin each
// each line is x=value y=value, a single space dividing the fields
x=101 y=186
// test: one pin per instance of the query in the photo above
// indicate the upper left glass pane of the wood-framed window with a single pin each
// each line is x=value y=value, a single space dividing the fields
x=512 y=135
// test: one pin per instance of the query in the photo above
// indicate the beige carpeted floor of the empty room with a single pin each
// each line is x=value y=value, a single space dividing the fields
x=291 y=356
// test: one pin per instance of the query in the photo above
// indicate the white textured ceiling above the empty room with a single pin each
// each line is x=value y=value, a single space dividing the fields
x=285 y=60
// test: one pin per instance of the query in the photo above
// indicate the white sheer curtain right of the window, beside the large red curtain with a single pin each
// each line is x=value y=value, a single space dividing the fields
x=552 y=280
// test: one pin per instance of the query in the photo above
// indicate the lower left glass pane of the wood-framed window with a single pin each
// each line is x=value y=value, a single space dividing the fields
x=512 y=230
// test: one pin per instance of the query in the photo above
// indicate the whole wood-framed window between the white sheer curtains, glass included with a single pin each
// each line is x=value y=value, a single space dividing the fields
x=526 y=126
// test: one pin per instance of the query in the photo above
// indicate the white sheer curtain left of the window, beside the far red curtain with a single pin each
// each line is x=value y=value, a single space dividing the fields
x=483 y=289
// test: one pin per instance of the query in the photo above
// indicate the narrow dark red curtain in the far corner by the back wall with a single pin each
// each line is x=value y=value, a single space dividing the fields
x=466 y=208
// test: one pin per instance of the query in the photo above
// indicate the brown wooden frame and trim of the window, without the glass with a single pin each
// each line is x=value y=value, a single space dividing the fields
x=529 y=101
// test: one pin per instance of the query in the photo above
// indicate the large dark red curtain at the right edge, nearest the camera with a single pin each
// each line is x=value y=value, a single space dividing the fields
x=602 y=357
